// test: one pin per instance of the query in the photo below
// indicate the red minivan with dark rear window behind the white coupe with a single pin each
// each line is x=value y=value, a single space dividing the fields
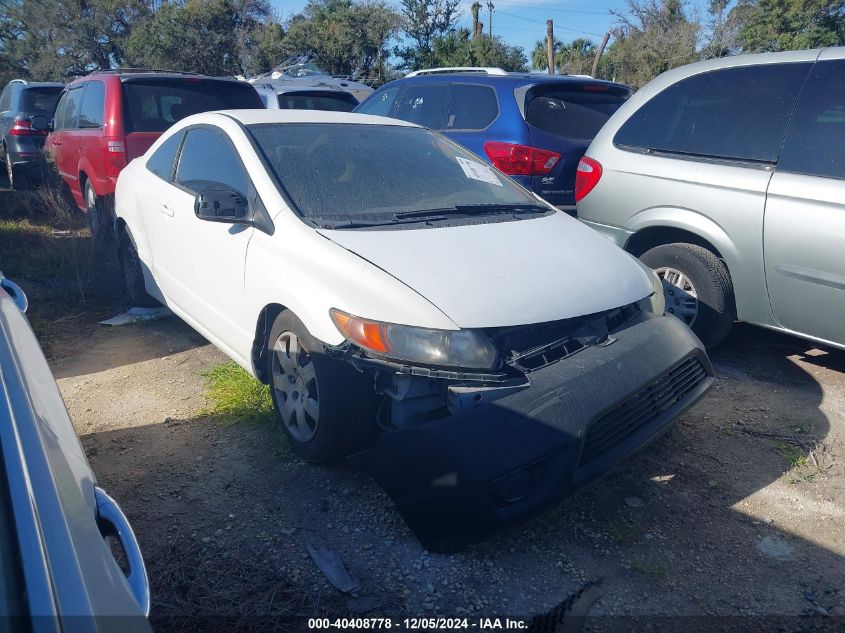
x=107 y=118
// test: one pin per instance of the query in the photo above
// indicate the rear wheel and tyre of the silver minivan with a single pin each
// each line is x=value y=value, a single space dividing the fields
x=697 y=287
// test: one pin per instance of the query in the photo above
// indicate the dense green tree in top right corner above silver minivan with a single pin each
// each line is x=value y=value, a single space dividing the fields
x=780 y=25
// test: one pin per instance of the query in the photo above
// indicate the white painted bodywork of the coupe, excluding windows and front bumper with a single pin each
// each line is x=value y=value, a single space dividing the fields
x=218 y=277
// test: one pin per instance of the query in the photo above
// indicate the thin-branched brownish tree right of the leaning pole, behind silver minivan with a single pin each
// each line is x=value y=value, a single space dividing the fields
x=655 y=36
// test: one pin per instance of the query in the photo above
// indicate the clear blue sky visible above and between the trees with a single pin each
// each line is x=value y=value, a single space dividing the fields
x=524 y=23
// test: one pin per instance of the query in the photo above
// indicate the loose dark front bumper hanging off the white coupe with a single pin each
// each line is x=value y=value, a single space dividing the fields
x=461 y=477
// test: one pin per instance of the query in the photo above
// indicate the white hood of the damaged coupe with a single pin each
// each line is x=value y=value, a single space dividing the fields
x=505 y=273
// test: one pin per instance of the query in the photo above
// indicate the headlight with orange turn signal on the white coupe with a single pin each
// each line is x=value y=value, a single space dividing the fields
x=446 y=348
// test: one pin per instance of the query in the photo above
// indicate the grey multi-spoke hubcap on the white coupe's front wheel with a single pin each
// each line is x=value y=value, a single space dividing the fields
x=295 y=385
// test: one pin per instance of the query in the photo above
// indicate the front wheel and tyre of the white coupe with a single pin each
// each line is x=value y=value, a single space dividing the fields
x=325 y=407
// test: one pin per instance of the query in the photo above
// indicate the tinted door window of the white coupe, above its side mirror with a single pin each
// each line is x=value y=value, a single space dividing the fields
x=209 y=160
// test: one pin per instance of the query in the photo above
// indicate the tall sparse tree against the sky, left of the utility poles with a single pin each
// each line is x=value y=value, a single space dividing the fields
x=424 y=21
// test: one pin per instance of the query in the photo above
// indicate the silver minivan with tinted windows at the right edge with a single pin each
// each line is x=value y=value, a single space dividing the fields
x=728 y=178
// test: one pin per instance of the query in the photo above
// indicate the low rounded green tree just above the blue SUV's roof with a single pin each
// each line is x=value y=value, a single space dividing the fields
x=459 y=48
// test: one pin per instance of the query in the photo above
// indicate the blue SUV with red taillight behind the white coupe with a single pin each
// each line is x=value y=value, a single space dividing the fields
x=533 y=127
